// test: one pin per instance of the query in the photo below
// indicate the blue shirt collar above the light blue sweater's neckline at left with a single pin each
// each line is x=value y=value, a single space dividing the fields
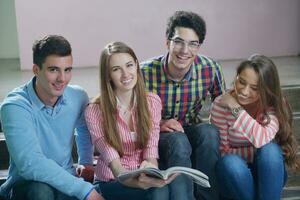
x=36 y=100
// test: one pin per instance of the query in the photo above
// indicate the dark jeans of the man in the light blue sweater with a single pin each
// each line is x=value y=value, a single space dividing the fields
x=33 y=190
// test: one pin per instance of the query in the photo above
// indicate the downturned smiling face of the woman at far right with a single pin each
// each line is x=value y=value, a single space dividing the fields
x=246 y=87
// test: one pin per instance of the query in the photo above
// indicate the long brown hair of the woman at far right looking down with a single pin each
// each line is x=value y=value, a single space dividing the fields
x=271 y=96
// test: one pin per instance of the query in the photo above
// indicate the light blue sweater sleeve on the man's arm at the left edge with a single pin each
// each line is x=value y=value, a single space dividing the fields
x=25 y=150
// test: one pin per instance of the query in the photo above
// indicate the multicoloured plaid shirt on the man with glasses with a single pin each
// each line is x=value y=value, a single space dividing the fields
x=183 y=100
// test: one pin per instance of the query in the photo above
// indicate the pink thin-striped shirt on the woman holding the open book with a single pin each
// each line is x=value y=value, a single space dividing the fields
x=132 y=157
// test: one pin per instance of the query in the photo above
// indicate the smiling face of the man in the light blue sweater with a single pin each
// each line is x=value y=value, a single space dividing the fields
x=52 y=78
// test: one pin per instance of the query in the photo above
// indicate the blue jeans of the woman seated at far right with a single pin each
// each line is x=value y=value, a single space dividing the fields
x=263 y=179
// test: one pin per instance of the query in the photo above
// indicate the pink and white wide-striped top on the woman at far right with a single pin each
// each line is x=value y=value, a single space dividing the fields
x=242 y=135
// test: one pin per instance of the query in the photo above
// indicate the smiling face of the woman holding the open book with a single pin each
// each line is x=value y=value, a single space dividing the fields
x=123 y=72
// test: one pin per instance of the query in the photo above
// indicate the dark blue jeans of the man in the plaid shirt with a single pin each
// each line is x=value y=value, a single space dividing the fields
x=197 y=148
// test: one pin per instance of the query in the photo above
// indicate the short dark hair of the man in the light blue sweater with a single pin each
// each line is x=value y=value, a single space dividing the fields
x=50 y=45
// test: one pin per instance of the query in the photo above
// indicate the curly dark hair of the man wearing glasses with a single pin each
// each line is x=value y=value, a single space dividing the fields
x=187 y=20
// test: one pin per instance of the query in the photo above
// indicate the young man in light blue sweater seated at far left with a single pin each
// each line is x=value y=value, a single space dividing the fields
x=39 y=120
